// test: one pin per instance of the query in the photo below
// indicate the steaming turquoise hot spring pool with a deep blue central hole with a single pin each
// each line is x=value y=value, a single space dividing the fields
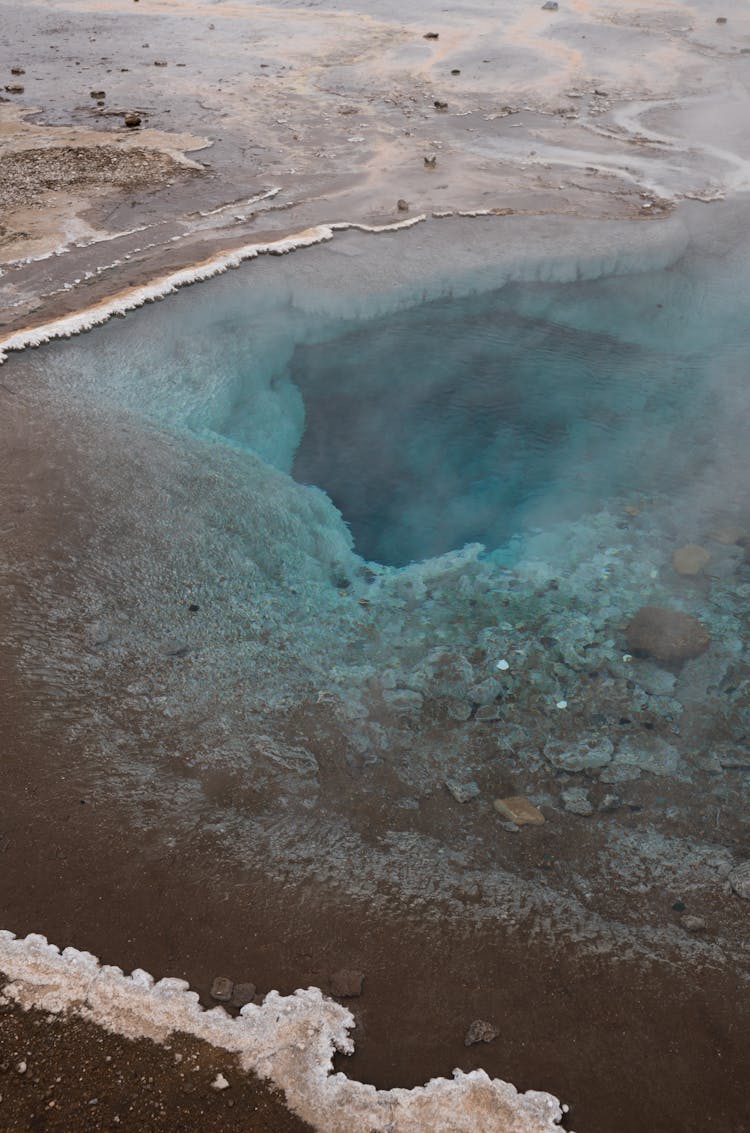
x=344 y=548
